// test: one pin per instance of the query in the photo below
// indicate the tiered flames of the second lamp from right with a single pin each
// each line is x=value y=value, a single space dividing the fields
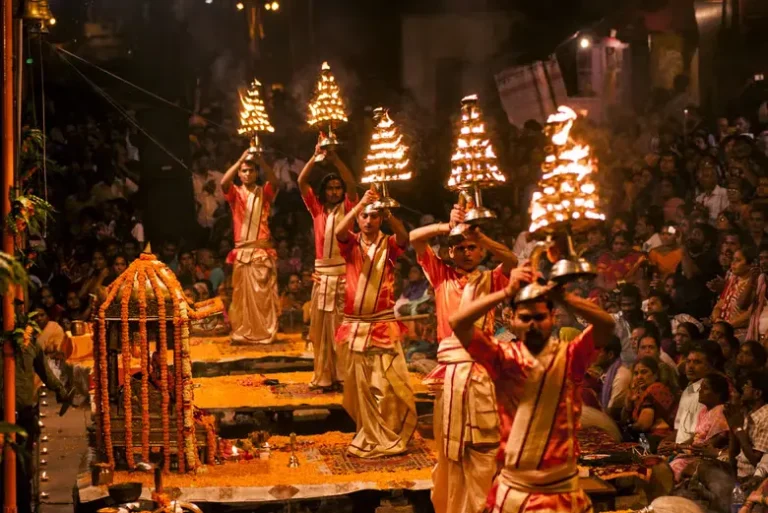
x=474 y=161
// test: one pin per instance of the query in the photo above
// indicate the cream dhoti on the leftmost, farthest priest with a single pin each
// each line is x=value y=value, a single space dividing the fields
x=254 y=312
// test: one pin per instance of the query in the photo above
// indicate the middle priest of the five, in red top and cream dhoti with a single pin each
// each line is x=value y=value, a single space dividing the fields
x=377 y=393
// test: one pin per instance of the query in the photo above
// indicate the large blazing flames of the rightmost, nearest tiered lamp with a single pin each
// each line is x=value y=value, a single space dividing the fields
x=566 y=192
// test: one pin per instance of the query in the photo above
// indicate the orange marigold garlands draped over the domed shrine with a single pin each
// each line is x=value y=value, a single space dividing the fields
x=145 y=272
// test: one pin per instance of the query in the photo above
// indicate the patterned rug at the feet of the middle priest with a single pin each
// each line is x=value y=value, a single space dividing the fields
x=419 y=456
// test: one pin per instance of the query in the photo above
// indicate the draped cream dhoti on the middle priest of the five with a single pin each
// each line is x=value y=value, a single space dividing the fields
x=377 y=390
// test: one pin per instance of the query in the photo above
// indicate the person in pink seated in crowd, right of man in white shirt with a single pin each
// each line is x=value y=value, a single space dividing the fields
x=711 y=436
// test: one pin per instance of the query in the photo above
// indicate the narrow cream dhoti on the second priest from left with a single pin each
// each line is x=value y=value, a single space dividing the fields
x=325 y=317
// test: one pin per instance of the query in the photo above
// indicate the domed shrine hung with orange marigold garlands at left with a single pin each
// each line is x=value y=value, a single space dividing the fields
x=149 y=410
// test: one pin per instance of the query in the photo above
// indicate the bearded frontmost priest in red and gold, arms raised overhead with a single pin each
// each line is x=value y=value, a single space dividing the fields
x=540 y=469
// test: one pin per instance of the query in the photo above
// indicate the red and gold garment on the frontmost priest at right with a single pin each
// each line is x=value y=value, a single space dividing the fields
x=539 y=401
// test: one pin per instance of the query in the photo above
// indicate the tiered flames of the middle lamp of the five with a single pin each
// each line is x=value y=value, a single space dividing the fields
x=387 y=159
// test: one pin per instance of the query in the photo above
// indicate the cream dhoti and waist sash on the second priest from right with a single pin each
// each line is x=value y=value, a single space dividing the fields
x=466 y=425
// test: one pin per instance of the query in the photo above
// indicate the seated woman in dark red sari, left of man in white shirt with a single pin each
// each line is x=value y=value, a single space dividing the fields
x=650 y=405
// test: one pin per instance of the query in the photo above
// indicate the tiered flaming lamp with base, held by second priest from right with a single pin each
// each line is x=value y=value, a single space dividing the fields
x=473 y=164
